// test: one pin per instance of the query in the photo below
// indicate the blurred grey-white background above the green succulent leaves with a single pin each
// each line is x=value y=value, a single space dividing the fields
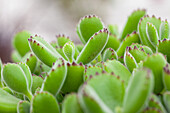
x=51 y=17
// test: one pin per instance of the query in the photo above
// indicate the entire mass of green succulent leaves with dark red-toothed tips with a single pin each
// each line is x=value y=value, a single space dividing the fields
x=108 y=73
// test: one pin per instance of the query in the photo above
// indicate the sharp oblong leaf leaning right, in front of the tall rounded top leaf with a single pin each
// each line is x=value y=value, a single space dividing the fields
x=93 y=47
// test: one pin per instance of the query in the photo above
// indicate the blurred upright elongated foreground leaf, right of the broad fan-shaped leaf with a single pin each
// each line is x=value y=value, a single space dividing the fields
x=137 y=93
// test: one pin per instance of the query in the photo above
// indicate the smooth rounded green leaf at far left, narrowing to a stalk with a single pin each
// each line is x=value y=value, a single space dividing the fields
x=20 y=81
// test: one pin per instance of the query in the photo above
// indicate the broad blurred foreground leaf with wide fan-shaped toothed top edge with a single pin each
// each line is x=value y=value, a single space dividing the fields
x=107 y=90
